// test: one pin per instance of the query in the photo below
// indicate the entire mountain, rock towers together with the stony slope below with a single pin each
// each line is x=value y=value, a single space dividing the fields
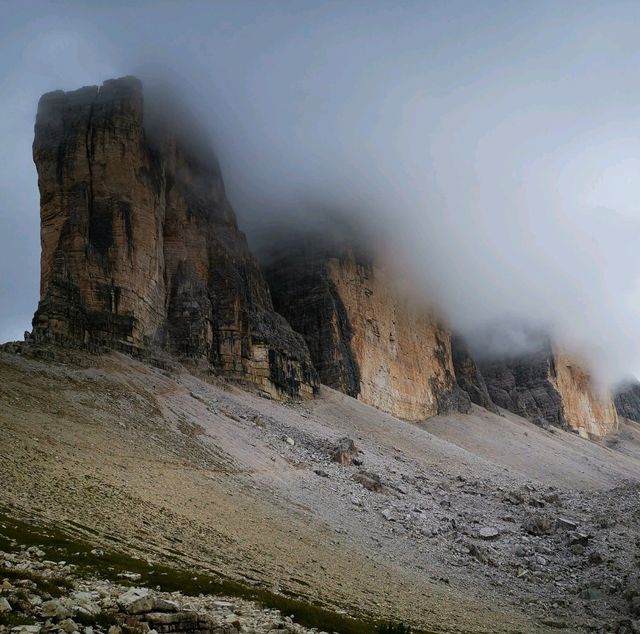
x=303 y=430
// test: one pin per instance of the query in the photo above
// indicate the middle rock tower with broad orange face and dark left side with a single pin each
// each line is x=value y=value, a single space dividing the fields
x=364 y=339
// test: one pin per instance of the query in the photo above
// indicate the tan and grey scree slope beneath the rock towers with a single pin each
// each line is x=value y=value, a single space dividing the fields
x=464 y=523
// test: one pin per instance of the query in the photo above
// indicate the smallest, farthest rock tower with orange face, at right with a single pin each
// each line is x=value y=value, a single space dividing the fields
x=549 y=388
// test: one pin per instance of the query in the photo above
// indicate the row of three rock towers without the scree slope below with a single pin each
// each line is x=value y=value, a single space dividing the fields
x=141 y=252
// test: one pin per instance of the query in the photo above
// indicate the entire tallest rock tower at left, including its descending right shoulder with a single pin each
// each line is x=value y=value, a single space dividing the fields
x=141 y=250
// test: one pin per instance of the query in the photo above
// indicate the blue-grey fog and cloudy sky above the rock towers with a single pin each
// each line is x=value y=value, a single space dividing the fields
x=491 y=150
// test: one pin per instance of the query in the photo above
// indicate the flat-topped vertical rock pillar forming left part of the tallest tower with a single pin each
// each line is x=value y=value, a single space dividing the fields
x=102 y=212
